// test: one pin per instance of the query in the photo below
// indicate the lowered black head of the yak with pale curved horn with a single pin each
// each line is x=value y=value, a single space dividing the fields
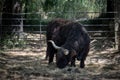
x=62 y=55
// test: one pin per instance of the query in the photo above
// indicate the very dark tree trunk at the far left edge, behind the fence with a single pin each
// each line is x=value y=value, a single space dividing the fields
x=7 y=8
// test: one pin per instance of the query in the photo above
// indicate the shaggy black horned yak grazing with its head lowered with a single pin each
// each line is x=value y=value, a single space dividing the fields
x=69 y=40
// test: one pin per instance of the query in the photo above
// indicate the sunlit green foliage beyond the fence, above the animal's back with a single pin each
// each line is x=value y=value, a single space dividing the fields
x=69 y=9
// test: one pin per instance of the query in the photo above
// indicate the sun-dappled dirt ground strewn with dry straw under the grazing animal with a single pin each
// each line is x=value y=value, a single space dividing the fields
x=29 y=64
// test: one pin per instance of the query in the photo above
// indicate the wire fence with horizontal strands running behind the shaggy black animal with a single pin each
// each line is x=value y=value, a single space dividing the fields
x=30 y=28
